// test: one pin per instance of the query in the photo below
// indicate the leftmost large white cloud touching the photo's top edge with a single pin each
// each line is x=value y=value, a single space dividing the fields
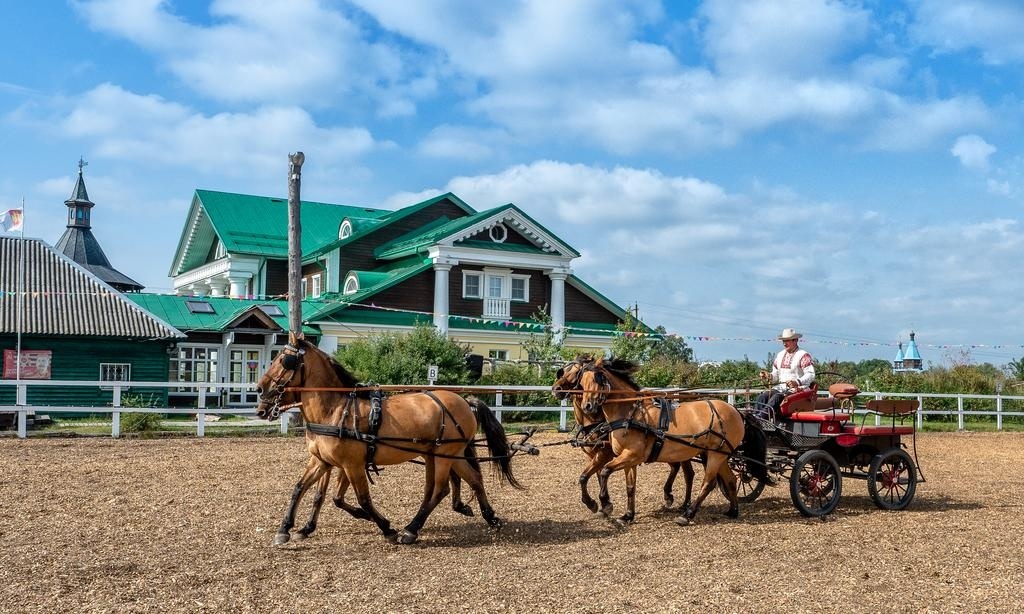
x=280 y=52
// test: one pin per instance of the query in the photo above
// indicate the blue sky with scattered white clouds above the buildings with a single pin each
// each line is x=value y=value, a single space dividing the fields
x=850 y=169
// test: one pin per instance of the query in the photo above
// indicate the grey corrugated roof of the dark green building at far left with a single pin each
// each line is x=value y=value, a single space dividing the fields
x=60 y=297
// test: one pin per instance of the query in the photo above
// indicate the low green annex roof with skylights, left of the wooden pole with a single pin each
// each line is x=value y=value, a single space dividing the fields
x=175 y=311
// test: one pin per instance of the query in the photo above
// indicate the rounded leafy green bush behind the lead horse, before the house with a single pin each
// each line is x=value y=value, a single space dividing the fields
x=404 y=358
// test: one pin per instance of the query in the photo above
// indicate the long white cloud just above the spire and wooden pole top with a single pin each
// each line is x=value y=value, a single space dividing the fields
x=129 y=126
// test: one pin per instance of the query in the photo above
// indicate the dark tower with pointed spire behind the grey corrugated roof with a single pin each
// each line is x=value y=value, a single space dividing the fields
x=80 y=245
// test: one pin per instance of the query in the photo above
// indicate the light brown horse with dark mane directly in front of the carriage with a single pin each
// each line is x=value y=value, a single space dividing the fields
x=713 y=428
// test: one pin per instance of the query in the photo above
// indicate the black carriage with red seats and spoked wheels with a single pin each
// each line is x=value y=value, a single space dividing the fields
x=814 y=444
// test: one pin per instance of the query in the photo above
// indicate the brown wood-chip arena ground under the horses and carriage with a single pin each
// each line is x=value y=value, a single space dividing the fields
x=186 y=525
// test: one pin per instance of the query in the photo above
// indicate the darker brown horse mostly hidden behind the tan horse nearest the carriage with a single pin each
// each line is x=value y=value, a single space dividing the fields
x=592 y=441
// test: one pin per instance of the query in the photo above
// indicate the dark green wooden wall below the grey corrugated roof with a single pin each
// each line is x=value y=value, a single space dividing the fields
x=79 y=359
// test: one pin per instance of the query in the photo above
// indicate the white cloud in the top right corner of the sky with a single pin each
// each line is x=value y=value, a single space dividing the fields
x=994 y=27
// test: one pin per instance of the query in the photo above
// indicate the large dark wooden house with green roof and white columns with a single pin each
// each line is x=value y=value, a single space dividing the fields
x=477 y=276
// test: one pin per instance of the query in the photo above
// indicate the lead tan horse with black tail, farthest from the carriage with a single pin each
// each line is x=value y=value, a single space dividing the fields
x=356 y=431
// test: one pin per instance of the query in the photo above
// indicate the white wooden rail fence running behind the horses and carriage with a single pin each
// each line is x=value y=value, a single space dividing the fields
x=23 y=410
